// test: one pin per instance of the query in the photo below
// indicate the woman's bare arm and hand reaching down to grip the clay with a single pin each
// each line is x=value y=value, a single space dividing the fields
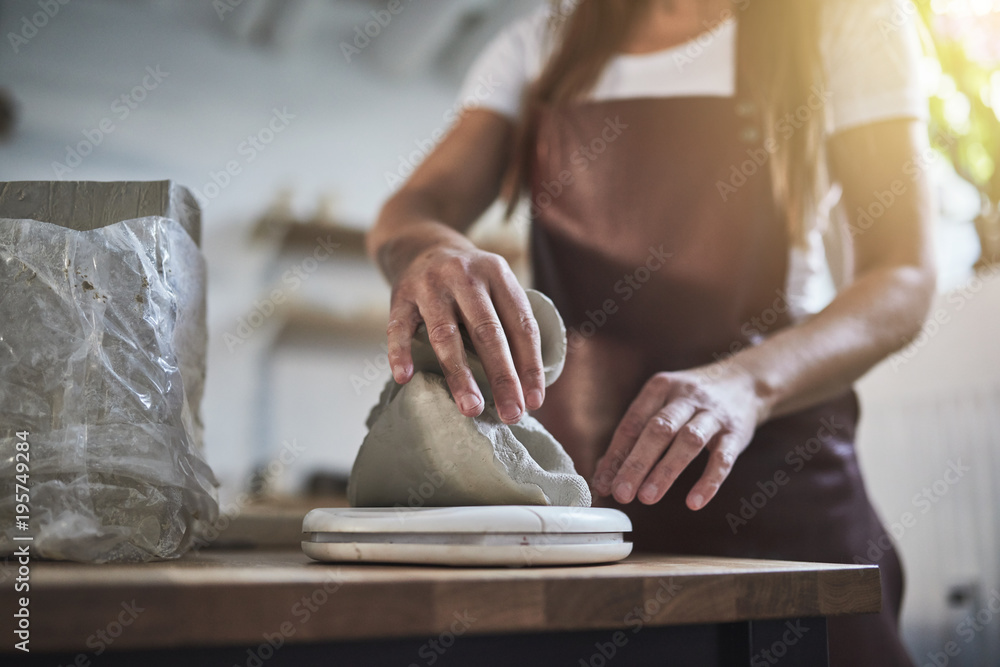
x=441 y=279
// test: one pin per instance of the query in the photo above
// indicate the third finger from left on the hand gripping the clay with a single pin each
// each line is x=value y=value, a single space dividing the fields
x=490 y=341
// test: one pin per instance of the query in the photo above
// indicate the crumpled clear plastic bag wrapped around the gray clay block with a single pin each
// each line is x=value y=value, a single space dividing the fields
x=102 y=364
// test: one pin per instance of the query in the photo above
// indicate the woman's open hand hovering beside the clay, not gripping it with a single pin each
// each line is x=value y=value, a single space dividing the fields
x=674 y=417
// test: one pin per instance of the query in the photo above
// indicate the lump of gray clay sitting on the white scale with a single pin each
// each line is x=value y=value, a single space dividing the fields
x=421 y=451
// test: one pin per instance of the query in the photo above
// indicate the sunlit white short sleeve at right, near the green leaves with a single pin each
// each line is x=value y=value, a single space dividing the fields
x=871 y=53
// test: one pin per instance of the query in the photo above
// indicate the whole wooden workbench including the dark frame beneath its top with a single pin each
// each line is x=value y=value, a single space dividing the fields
x=238 y=601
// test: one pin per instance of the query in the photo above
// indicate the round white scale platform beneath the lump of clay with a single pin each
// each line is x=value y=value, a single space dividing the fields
x=494 y=535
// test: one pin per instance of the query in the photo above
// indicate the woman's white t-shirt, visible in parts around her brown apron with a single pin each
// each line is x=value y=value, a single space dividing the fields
x=871 y=56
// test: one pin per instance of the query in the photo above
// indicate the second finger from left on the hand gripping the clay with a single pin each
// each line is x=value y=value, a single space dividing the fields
x=446 y=341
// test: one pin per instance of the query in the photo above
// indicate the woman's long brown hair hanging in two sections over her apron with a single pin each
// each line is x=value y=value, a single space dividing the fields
x=778 y=59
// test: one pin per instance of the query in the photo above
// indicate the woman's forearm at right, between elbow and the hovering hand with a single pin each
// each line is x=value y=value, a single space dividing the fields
x=807 y=363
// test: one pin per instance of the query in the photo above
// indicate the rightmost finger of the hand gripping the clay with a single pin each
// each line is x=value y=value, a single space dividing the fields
x=523 y=335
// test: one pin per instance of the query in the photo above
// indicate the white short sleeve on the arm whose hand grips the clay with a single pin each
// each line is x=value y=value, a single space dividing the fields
x=513 y=60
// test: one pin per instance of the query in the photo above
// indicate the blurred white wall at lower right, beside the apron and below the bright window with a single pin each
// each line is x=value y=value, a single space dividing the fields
x=929 y=443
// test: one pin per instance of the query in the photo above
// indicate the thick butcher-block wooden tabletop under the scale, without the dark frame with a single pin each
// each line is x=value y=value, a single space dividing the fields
x=217 y=598
